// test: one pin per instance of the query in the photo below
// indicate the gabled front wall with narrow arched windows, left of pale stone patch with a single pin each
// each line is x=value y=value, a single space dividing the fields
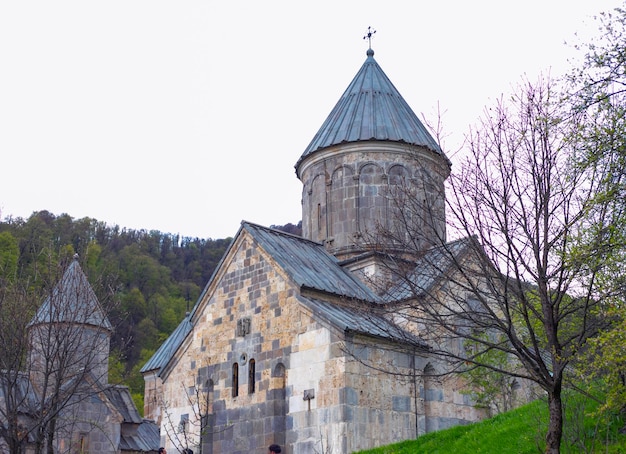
x=249 y=316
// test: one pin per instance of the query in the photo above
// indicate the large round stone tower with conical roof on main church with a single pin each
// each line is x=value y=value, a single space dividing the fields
x=373 y=177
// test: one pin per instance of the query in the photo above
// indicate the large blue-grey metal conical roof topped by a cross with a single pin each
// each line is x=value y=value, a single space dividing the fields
x=371 y=108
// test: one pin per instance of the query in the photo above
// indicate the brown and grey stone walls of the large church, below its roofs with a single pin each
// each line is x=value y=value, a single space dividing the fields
x=263 y=366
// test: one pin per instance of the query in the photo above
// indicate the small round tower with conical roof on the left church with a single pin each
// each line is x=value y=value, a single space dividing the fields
x=70 y=334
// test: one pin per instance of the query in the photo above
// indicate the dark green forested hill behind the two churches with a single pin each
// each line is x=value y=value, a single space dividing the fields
x=156 y=277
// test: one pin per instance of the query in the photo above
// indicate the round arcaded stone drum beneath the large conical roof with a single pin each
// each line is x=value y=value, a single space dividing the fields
x=351 y=191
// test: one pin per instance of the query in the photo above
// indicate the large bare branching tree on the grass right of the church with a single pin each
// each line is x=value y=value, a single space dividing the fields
x=514 y=281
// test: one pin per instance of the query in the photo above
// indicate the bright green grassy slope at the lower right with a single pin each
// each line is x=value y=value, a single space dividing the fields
x=520 y=431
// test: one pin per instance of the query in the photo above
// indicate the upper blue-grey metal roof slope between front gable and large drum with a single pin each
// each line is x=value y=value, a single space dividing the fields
x=309 y=264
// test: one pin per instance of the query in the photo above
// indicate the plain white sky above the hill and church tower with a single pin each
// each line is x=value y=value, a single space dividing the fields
x=188 y=116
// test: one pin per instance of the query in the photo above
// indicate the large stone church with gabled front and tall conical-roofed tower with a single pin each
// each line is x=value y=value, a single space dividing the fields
x=285 y=345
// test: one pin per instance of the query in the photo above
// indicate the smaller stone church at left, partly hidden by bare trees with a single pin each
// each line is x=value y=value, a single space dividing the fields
x=62 y=400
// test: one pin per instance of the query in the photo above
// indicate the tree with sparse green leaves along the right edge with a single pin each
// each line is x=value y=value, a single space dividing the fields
x=598 y=89
